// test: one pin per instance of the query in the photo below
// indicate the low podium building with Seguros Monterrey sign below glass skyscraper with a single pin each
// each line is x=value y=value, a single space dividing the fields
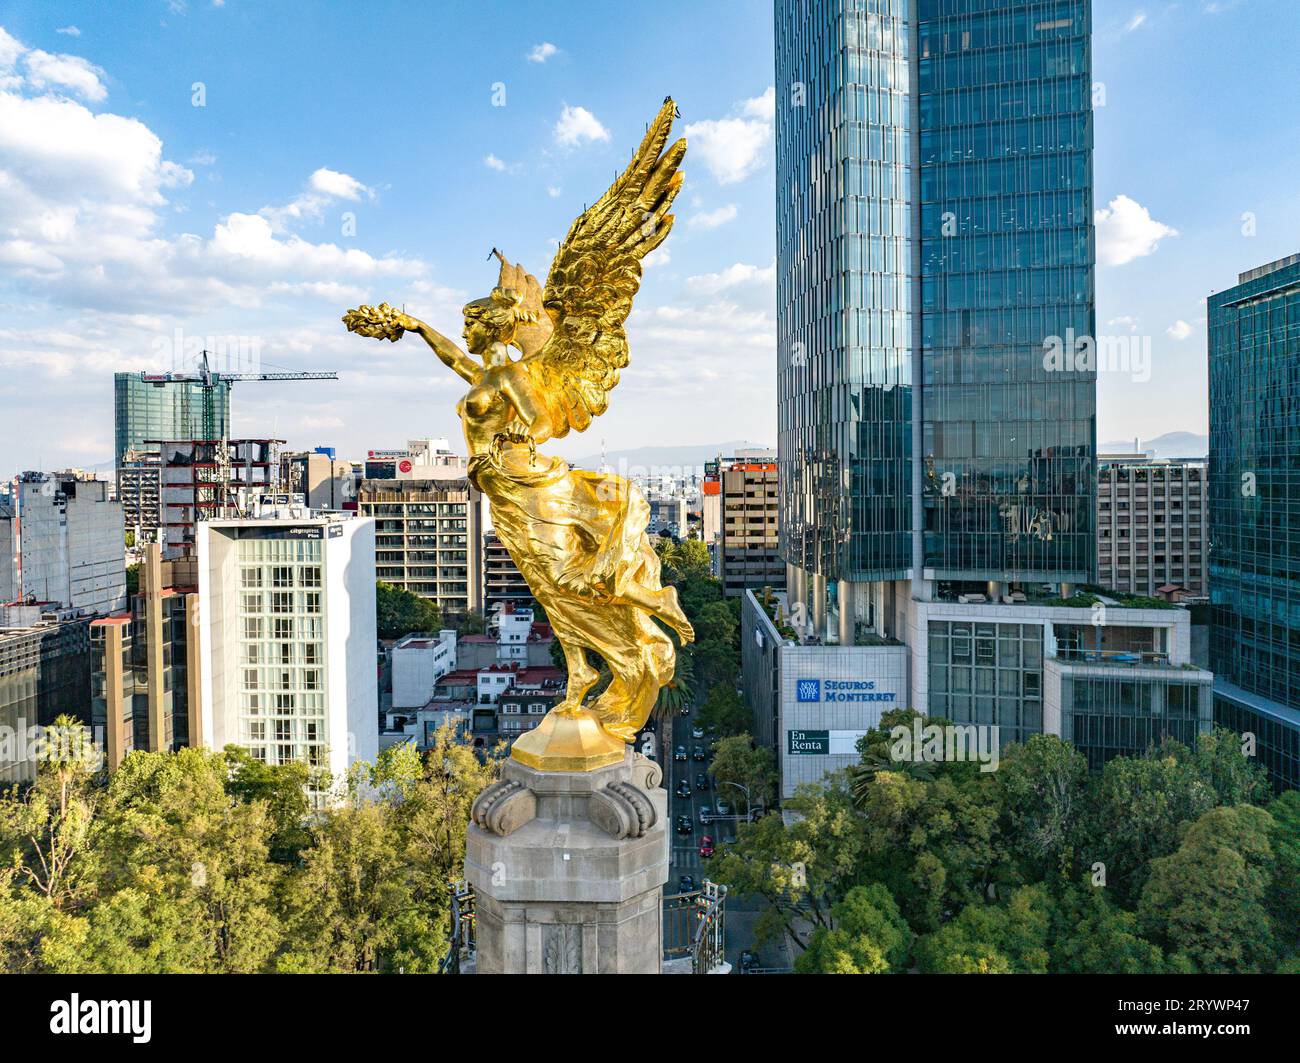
x=1113 y=680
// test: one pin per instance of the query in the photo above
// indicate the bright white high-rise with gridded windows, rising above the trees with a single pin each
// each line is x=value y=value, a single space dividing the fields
x=288 y=637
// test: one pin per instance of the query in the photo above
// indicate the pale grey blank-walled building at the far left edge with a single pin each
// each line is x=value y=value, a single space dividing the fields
x=62 y=544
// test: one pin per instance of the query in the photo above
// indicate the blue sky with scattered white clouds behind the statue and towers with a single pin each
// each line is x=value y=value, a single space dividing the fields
x=353 y=153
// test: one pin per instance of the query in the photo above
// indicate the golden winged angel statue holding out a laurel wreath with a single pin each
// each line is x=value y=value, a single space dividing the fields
x=578 y=537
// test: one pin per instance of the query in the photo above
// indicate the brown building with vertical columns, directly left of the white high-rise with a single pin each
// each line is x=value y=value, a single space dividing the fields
x=146 y=691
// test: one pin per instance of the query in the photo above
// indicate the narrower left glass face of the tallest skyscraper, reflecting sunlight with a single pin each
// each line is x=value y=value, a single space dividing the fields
x=844 y=145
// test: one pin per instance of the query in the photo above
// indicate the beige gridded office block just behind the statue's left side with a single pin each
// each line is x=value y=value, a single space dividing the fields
x=430 y=535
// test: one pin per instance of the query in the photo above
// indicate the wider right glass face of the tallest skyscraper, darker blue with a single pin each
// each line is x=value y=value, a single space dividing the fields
x=1007 y=262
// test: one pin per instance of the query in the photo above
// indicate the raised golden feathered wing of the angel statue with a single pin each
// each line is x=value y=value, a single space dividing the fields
x=596 y=276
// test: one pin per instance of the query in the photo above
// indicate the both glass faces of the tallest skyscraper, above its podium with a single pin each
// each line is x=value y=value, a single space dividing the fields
x=934 y=232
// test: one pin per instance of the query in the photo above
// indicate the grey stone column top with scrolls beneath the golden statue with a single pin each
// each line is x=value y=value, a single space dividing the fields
x=569 y=870
